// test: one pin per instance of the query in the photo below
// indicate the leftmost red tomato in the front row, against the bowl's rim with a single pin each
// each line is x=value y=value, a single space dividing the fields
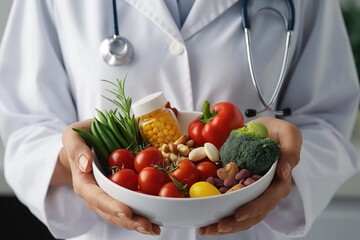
x=126 y=178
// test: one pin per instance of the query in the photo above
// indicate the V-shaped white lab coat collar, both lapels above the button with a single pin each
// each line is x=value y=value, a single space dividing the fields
x=202 y=13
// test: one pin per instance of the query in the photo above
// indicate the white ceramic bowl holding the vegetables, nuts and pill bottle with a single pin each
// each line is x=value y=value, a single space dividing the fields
x=183 y=212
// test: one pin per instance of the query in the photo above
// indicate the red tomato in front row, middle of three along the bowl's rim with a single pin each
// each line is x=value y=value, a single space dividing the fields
x=151 y=180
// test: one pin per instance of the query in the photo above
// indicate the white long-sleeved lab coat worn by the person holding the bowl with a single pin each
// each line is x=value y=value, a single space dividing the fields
x=50 y=72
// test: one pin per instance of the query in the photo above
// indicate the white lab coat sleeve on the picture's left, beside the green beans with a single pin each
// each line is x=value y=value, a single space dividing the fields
x=36 y=104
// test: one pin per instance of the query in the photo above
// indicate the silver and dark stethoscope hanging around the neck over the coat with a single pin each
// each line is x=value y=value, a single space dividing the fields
x=117 y=50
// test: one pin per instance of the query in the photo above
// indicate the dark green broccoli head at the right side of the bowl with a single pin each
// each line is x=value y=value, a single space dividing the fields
x=251 y=151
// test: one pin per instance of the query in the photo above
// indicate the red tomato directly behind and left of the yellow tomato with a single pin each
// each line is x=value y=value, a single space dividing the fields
x=186 y=173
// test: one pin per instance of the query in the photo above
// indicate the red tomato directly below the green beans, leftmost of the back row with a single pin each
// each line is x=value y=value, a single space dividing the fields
x=122 y=158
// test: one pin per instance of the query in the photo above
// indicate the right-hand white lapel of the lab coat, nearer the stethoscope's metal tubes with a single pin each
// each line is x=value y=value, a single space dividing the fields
x=202 y=13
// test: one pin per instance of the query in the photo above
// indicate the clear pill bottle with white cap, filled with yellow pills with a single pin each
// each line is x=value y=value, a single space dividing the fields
x=158 y=125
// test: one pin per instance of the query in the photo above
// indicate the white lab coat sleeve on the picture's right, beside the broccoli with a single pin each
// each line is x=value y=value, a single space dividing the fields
x=324 y=95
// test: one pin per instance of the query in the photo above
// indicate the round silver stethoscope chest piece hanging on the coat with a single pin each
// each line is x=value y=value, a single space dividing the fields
x=116 y=50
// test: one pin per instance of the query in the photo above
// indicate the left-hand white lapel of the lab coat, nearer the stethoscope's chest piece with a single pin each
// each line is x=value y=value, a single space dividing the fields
x=157 y=11
